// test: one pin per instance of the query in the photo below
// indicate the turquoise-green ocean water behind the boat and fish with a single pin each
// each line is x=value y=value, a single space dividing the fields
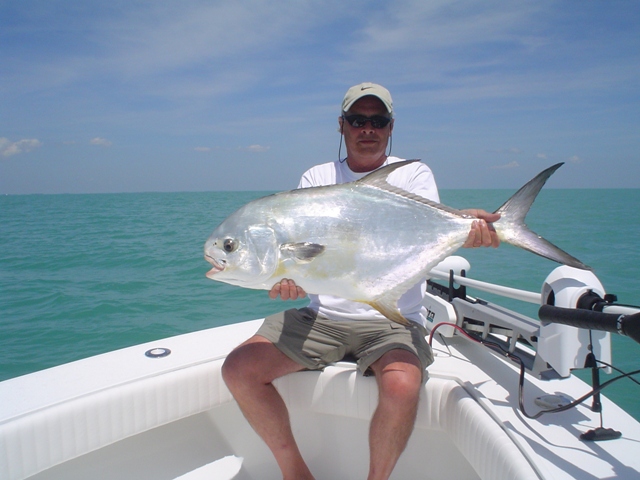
x=85 y=274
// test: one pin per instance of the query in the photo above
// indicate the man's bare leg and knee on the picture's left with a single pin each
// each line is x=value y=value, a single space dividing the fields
x=249 y=371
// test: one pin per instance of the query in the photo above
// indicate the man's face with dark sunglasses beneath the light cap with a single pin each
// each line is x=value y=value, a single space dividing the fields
x=366 y=146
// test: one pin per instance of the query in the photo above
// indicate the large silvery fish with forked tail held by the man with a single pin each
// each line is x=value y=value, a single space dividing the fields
x=366 y=241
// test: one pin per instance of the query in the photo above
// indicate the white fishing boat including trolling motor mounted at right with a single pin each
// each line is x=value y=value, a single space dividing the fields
x=501 y=400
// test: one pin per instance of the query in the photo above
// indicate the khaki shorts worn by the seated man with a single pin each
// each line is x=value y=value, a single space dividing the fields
x=315 y=341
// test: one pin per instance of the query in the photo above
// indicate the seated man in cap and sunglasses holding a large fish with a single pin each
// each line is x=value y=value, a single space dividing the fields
x=396 y=357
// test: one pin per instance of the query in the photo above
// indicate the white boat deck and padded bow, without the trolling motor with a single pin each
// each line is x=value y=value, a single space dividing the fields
x=164 y=418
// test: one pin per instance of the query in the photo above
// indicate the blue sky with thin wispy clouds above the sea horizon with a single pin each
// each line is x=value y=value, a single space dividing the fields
x=125 y=96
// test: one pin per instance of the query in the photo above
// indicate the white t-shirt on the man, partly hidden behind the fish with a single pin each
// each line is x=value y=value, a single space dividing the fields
x=415 y=178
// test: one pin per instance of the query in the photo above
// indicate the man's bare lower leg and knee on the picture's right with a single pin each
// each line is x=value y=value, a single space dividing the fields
x=399 y=377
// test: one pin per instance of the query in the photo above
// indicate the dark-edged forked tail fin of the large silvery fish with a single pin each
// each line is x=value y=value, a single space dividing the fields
x=512 y=229
